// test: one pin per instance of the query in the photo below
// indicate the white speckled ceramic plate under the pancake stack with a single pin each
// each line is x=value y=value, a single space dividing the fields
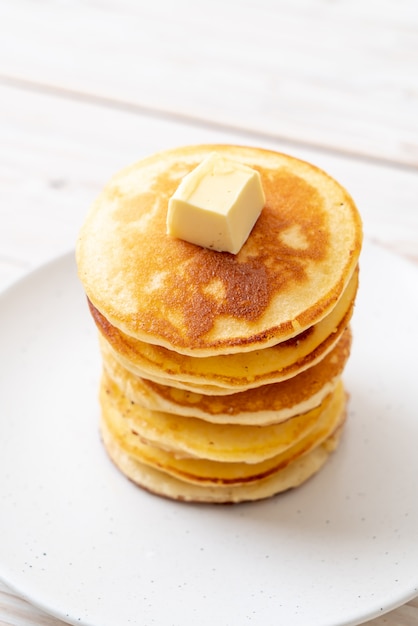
x=83 y=543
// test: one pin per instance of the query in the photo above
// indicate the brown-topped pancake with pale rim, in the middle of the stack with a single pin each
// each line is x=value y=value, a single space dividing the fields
x=269 y=404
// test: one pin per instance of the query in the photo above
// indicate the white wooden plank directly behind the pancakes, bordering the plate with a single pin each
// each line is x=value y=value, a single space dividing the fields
x=56 y=154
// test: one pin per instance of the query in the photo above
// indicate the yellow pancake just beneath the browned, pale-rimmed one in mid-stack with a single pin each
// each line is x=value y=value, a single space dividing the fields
x=193 y=437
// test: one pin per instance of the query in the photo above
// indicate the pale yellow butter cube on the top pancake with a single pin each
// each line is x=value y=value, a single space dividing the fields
x=216 y=205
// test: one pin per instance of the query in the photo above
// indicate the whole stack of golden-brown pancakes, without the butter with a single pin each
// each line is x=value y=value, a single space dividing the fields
x=222 y=373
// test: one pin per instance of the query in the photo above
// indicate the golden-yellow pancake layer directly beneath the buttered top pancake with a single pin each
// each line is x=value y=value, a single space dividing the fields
x=234 y=372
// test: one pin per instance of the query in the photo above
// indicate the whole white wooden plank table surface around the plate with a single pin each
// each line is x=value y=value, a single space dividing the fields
x=88 y=87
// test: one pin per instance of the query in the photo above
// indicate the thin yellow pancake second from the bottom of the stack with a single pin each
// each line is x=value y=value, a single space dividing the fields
x=208 y=472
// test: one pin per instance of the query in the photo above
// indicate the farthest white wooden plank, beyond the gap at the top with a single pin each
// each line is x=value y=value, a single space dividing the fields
x=337 y=74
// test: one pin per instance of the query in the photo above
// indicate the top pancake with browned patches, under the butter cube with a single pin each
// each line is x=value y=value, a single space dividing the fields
x=288 y=275
